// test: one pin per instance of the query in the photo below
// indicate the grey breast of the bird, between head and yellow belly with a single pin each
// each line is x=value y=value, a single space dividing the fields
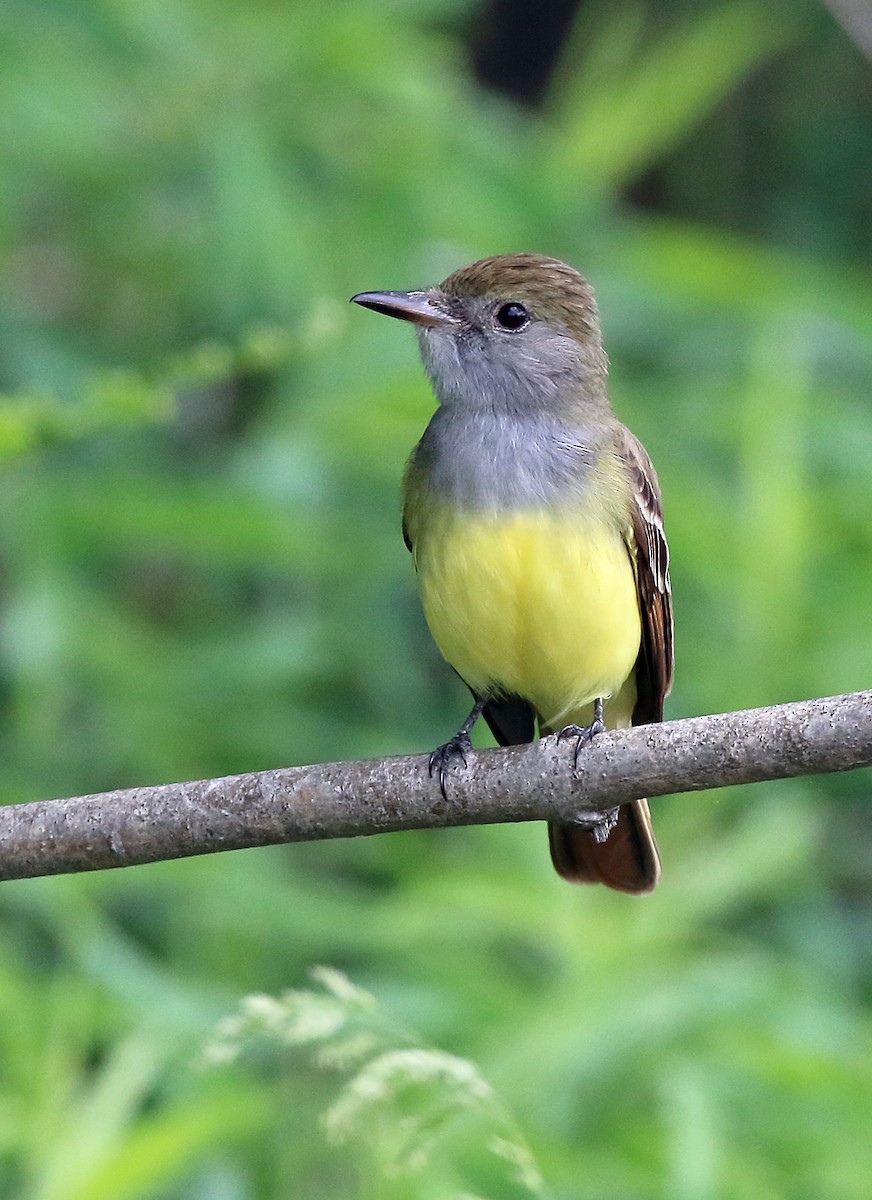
x=486 y=460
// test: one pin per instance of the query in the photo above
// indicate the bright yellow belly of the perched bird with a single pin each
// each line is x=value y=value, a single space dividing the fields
x=538 y=605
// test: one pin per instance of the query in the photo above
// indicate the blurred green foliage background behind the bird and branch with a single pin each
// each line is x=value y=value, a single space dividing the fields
x=202 y=573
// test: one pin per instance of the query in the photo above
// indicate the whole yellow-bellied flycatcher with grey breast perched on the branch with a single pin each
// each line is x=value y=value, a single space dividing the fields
x=536 y=525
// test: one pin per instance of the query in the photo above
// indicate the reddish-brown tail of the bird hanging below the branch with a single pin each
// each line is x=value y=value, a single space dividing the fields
x=628 y=860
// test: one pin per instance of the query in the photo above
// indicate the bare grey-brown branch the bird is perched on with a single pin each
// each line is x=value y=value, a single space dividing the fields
x=350 y=800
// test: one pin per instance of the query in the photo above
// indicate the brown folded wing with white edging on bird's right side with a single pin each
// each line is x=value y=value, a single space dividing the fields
x=651 y=555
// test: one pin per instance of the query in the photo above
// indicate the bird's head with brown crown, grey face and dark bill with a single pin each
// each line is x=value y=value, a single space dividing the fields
x=518 y=332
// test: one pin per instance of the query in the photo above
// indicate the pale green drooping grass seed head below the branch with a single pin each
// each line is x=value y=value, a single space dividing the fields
x=412 y=1111
